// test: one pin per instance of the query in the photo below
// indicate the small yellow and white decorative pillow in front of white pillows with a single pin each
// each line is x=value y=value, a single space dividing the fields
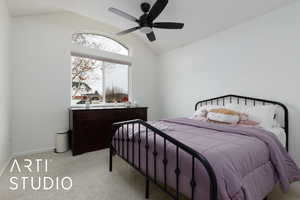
x=223 y=115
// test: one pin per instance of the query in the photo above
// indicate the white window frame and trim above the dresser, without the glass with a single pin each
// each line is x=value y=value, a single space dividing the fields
x=104 y=56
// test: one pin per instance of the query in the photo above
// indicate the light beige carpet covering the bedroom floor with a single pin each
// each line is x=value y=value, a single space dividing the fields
x=92 y=181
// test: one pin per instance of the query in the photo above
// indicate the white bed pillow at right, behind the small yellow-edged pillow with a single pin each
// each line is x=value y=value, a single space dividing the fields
x=263 y=114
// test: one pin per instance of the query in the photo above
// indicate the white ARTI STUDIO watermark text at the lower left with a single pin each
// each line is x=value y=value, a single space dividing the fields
x=36 y=166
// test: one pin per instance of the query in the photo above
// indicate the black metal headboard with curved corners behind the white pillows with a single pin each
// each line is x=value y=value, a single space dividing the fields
x=249 y=100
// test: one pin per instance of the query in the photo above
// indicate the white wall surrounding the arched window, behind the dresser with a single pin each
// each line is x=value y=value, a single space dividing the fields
x=41 y=76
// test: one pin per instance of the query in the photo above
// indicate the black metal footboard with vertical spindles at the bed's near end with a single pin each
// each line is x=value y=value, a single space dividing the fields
x=122 y=141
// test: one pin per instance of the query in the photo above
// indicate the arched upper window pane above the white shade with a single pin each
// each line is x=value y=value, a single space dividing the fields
x=100 y=42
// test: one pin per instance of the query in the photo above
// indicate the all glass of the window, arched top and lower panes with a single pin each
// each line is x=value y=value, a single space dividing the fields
x=99 y=80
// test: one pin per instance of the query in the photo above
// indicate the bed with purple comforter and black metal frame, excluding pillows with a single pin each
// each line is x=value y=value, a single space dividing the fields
x=206 y=160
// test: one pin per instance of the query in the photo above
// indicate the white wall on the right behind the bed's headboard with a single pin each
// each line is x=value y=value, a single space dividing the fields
x=260 y=58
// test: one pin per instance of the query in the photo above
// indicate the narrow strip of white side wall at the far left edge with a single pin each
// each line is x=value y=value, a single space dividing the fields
x=5 y=84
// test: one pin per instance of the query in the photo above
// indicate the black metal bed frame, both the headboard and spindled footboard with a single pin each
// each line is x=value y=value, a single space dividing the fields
x=121 y=143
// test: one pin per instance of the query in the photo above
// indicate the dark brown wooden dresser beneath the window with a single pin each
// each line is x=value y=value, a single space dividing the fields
x=91 y=129
